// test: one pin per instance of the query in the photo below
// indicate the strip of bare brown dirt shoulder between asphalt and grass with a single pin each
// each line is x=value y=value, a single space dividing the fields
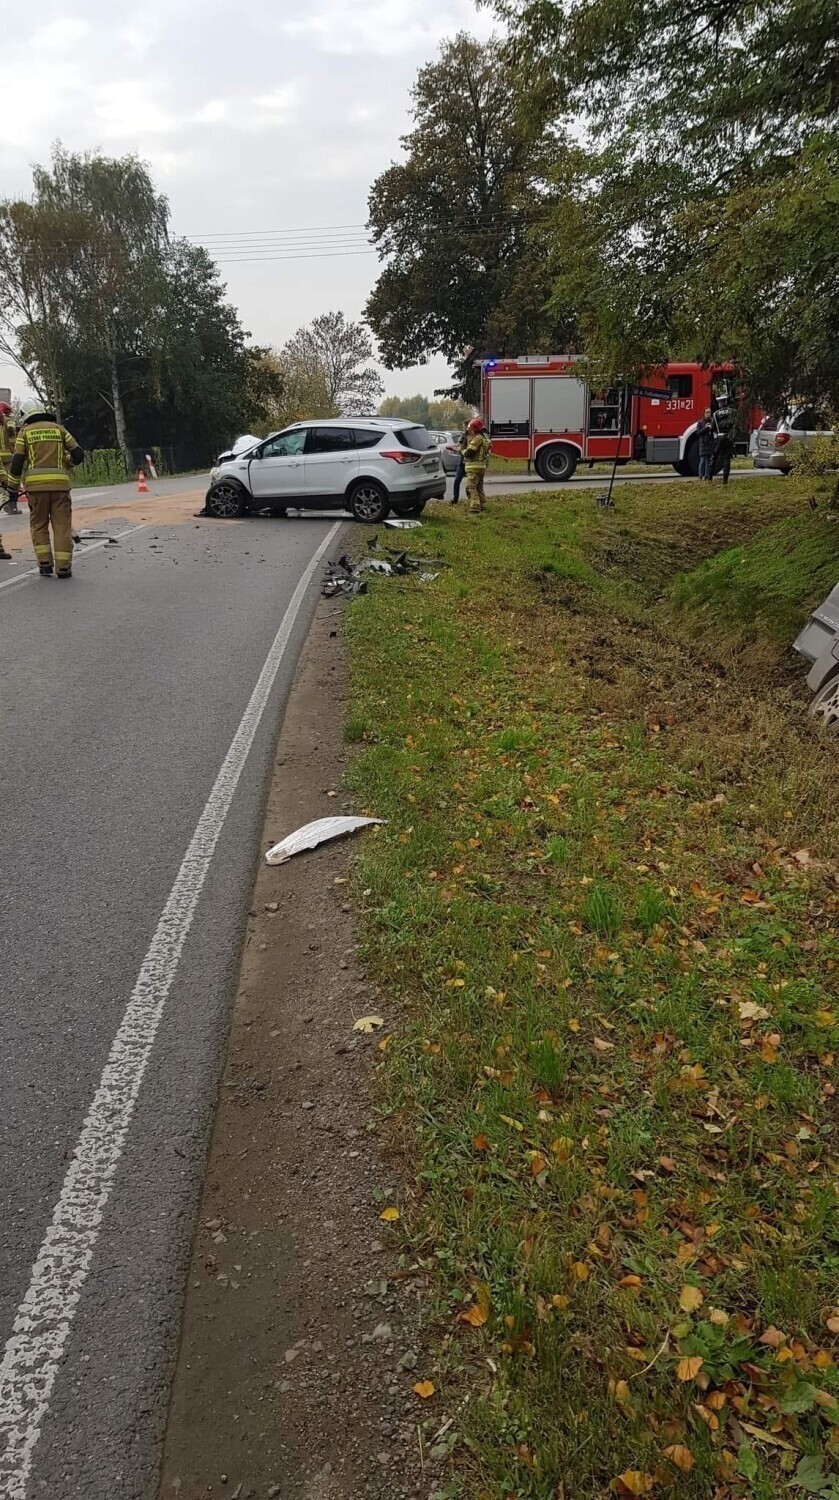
x=299 y=1346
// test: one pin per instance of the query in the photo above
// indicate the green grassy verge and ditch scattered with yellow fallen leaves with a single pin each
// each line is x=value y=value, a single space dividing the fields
x=606 y=904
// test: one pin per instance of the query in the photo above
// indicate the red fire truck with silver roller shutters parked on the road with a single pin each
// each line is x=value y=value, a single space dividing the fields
x=538 y=407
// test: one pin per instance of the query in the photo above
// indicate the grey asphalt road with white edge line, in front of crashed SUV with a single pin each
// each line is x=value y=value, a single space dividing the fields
x=124 y=692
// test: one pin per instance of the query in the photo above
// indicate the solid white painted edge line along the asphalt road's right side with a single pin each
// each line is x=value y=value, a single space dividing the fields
x=43 y=1324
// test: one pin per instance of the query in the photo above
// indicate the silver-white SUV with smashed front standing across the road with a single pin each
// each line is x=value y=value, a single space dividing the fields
x=365 y=466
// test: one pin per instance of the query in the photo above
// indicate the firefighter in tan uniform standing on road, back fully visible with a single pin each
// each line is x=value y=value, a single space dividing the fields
x=44 y=454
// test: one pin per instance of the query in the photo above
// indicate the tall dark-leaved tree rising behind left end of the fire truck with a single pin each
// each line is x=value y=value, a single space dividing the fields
x=454 y=221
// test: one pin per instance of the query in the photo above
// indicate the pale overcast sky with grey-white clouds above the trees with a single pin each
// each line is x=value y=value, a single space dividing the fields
x=259 y=121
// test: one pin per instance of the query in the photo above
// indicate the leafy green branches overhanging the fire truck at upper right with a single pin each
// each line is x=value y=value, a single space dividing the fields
x=703 y=208
